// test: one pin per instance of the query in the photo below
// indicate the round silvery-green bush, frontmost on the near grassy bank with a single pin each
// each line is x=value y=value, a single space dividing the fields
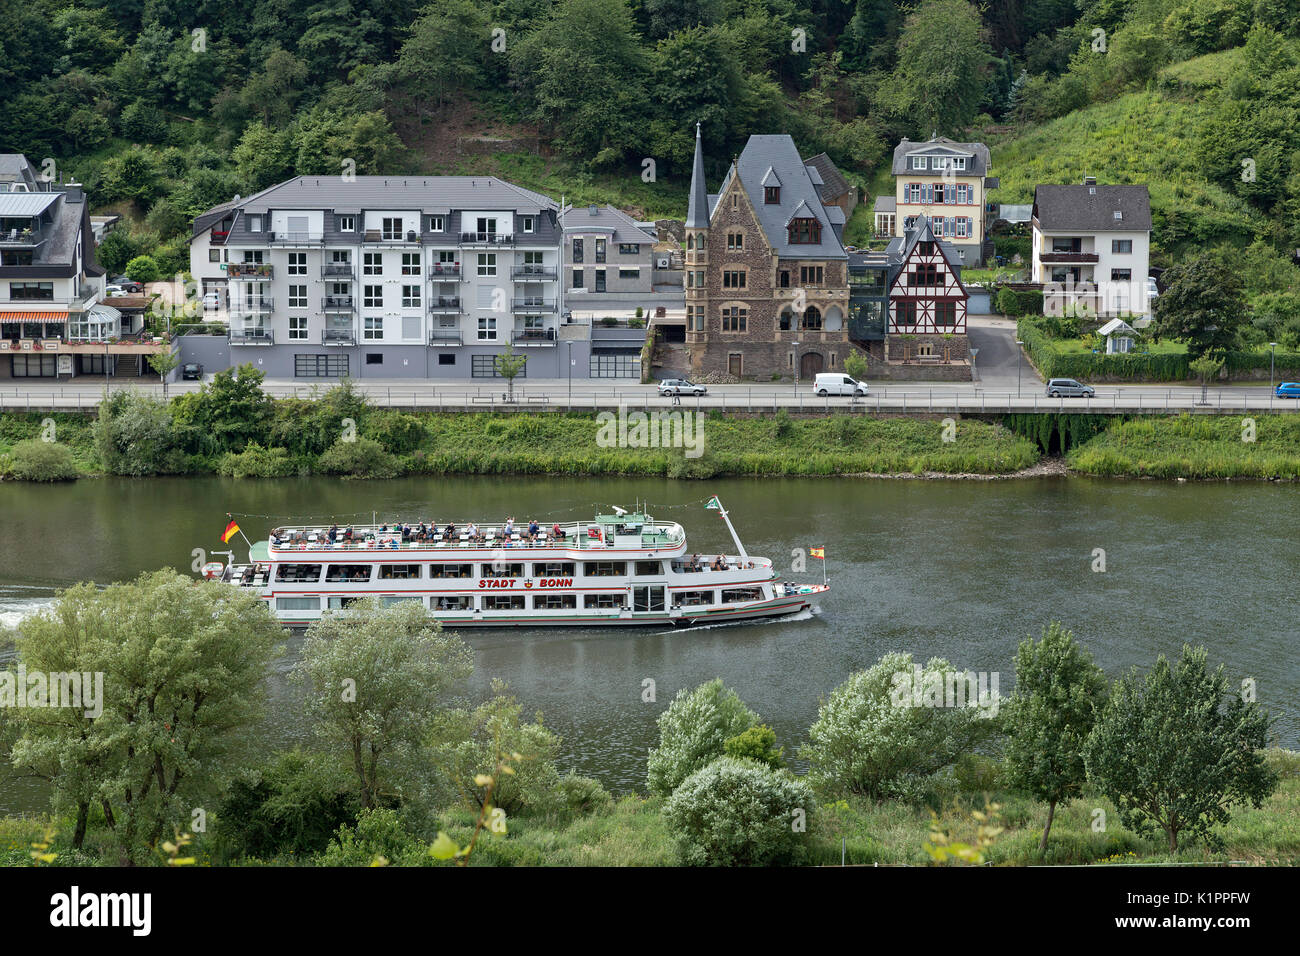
x=739 y=814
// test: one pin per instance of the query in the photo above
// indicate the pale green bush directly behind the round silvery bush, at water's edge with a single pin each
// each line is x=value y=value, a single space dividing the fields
x=694 y=732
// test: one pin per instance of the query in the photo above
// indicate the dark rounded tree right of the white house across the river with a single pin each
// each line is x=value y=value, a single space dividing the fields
x=1202 y=306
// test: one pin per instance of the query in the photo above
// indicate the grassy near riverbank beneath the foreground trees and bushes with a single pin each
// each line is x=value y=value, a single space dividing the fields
x=634 y=833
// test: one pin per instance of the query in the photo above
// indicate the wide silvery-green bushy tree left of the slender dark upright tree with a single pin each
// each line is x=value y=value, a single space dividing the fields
x=872 y=737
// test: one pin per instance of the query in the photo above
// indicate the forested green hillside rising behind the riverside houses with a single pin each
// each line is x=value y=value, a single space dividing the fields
x=164 y=109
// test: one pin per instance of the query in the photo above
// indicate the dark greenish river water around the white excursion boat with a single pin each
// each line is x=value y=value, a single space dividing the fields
x=956 y=569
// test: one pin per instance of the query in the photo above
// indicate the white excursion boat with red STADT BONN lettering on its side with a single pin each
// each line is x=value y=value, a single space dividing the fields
x=621 y=569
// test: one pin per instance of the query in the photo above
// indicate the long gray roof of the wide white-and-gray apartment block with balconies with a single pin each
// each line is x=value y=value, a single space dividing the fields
x=431 y=194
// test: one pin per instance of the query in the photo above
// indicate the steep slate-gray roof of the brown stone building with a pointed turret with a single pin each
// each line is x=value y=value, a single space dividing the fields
x=777 y=154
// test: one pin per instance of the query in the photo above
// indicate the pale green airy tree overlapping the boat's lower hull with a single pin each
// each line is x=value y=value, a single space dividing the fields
x=378 y=678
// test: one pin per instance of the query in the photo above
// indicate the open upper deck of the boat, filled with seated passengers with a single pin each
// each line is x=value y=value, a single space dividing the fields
x=604 y=534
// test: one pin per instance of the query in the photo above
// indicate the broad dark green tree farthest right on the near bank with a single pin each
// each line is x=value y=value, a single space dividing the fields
x=1175 y=751
